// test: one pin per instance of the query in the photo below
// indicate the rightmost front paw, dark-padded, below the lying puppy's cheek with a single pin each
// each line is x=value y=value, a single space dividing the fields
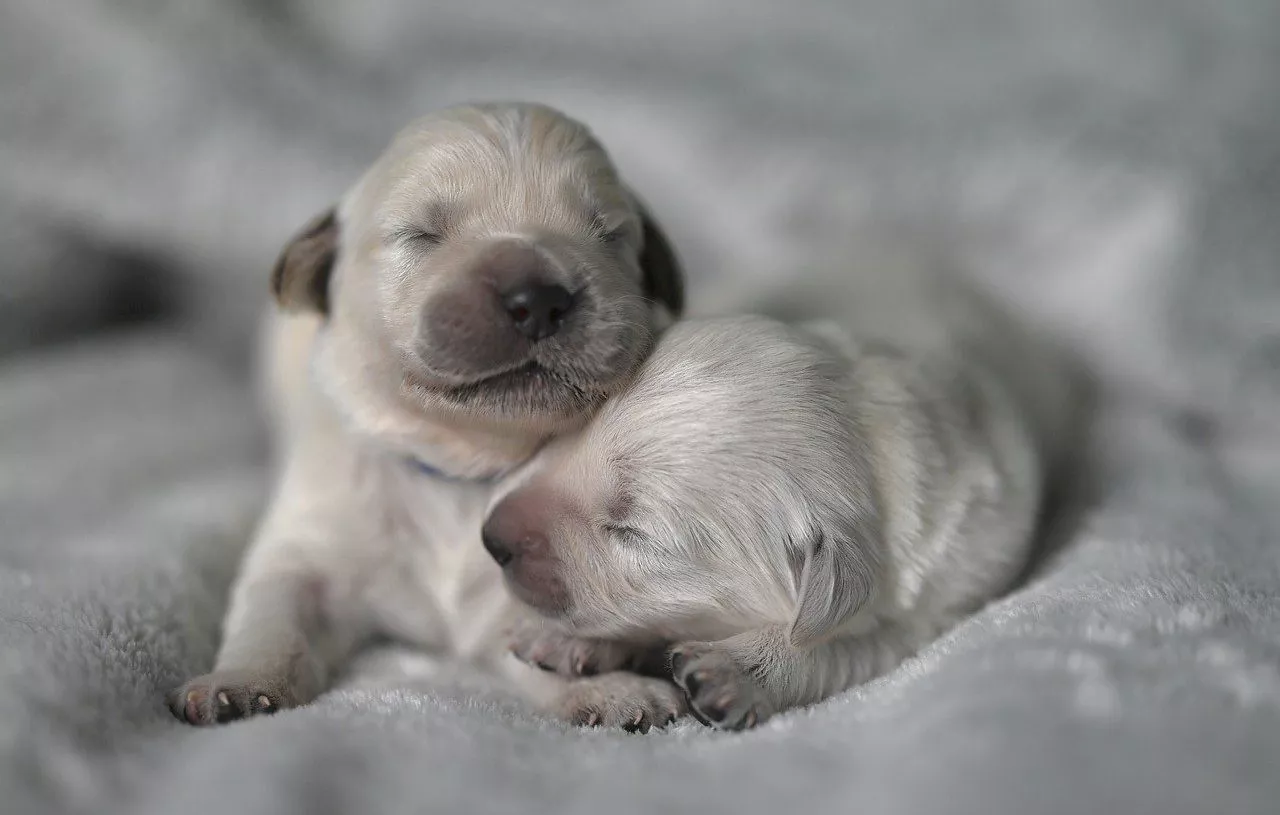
x=721 y=692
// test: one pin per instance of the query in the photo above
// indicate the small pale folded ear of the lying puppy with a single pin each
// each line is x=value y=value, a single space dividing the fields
x=836 y=578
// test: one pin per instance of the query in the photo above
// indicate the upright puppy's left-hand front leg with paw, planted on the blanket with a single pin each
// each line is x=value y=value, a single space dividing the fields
x=299 y=608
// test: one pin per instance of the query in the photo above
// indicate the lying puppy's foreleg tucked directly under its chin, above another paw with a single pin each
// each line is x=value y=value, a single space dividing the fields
x=546 y=645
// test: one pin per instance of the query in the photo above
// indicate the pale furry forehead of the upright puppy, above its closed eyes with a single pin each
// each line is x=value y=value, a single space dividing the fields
x=519 y=158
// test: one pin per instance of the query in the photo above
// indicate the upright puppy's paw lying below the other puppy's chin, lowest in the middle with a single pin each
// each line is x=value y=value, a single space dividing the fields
x=621 y=700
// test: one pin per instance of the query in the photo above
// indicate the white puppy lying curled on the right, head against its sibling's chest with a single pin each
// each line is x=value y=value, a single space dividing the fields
x=793 y=510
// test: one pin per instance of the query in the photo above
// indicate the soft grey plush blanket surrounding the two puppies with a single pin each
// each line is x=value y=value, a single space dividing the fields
x=1110 y=168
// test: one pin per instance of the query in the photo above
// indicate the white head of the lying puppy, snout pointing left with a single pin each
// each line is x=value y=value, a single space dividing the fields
x=723 y=491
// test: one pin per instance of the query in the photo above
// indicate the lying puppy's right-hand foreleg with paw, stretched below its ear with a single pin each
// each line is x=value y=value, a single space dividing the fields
x=740 y=683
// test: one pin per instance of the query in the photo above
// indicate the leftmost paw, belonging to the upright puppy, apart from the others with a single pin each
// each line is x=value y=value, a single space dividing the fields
x=230 y=695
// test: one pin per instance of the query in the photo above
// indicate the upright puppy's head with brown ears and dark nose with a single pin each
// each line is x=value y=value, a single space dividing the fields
x=490 y=269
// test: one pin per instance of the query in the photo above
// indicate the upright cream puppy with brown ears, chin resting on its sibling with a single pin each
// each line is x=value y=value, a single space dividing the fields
x=483 y=289
